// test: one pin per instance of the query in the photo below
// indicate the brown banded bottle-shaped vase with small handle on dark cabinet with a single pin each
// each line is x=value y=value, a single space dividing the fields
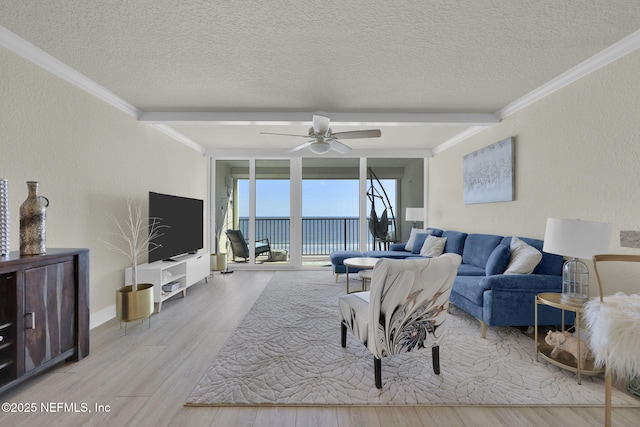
x=33 y=222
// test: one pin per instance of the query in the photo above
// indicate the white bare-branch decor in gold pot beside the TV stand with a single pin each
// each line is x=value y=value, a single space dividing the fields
x=134 y=237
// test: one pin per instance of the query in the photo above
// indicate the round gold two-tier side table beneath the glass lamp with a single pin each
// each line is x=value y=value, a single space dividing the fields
x=544 y=350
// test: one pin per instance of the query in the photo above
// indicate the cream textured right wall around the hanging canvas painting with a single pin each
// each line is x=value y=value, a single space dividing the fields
x=577 y=155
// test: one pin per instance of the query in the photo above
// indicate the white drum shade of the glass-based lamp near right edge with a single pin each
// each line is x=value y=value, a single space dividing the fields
x=576 y=238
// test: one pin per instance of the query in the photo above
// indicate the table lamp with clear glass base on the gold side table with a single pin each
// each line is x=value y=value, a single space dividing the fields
x=576 y=239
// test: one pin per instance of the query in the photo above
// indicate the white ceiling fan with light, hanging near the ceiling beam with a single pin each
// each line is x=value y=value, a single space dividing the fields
x=324 y=139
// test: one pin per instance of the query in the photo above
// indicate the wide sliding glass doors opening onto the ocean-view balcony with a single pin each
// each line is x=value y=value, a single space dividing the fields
x=303 y=209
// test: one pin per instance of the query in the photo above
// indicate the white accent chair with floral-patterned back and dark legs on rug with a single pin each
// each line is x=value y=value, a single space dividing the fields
x=405 y=309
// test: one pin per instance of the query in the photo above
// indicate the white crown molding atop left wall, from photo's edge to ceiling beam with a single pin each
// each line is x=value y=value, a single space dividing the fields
x=42 y=59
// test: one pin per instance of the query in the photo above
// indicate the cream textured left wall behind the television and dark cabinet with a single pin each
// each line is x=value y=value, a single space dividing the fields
x=89 y=158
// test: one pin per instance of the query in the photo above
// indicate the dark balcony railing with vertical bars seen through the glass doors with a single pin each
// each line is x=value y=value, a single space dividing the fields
x=320 y=236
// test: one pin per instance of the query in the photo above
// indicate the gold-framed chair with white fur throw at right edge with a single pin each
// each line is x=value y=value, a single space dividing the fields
x=613 y=322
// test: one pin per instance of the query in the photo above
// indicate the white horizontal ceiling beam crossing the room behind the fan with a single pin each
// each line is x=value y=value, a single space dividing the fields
x=305 y=118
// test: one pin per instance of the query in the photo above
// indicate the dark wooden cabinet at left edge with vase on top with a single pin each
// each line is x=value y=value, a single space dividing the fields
x=44 y=312
